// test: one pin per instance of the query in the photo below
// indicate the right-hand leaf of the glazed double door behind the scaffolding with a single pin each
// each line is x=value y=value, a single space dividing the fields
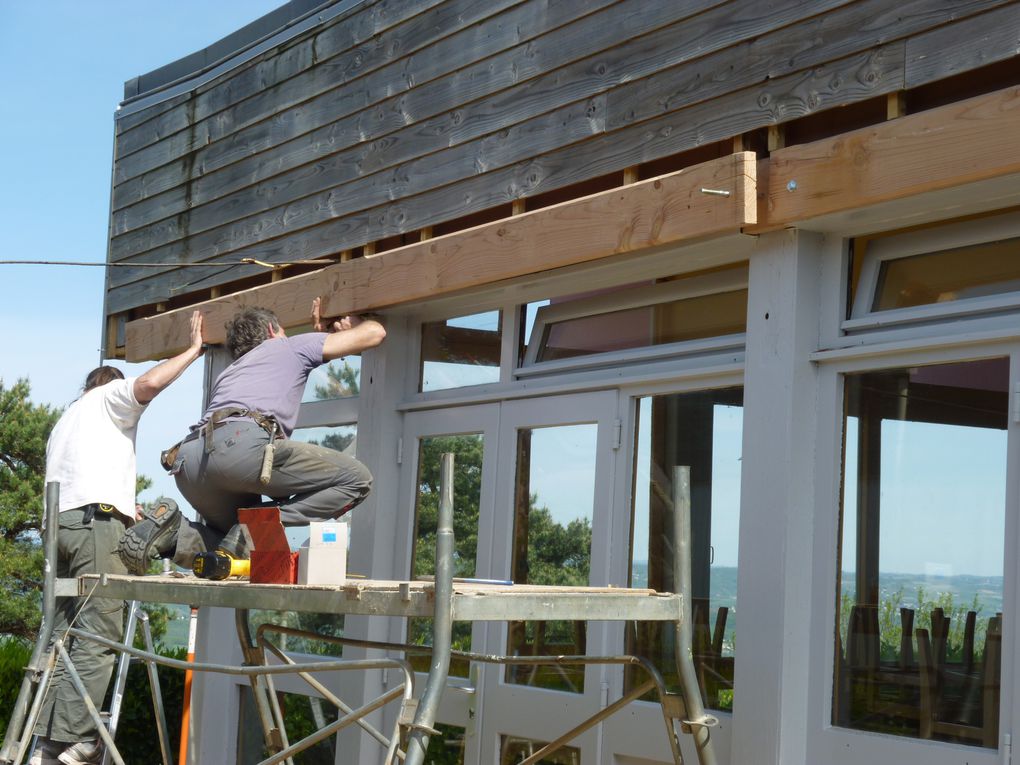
x=551 y=527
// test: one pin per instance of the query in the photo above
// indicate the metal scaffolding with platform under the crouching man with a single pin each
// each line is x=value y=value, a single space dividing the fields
x=444 y=601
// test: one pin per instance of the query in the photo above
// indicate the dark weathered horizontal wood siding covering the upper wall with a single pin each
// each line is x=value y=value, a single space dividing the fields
x=406 y=114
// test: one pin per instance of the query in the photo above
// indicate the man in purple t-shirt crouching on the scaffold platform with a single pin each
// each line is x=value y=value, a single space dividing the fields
x=223 y=465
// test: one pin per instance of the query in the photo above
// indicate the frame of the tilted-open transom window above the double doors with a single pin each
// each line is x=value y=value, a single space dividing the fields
x=639 y=297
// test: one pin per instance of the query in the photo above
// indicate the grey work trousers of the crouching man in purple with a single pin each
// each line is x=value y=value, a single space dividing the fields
x=310 y=483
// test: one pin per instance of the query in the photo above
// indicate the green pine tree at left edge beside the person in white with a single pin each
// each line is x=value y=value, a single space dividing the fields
x=25 y=429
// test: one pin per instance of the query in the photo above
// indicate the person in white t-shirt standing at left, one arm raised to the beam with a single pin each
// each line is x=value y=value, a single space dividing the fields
x=91 y=454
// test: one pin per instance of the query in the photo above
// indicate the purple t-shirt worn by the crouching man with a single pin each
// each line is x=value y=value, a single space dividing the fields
x=270 y=379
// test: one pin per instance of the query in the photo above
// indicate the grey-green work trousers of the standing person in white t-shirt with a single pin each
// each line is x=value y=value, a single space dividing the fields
x=83 y=549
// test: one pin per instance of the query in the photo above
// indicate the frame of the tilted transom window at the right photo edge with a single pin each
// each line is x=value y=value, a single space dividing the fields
x=933 y=240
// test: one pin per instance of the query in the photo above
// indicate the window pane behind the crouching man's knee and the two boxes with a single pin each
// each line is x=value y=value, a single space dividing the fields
x=342 y=439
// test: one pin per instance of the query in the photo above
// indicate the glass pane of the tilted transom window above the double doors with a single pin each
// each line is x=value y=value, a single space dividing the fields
x=691 y=319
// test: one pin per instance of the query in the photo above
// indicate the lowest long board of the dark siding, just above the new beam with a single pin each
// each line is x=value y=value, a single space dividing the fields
x=865 y=76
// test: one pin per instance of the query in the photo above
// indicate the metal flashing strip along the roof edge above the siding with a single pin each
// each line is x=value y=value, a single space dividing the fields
x=318 y=16
